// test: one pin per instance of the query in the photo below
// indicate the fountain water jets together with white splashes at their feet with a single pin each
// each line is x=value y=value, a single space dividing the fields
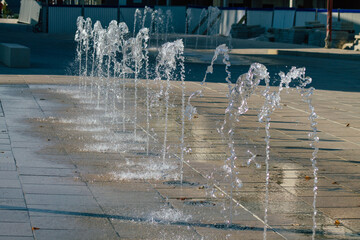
x=110 y=44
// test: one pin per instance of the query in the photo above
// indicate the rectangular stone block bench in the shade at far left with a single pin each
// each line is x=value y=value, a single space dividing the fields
x=14 y=55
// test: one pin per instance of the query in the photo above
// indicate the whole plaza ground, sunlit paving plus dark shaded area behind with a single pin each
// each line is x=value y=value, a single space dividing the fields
x=52 y=189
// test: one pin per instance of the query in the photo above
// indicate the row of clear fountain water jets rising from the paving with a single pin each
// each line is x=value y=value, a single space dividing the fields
x=130 y=58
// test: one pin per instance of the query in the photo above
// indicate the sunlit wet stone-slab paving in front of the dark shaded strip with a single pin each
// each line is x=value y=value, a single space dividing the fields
x=66 y=176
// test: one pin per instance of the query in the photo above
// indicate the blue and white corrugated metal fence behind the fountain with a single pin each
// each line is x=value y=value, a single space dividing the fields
x=62 y=19
